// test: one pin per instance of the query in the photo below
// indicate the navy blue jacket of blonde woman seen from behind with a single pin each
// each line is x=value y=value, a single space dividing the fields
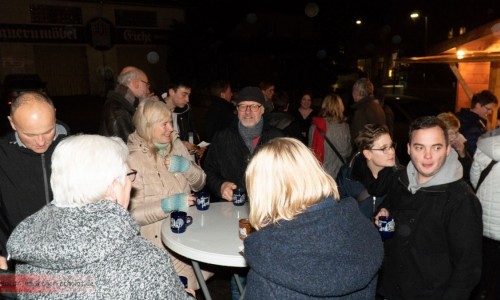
x=328 y=252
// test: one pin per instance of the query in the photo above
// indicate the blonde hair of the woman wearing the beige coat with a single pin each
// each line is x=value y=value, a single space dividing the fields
x=148 y=113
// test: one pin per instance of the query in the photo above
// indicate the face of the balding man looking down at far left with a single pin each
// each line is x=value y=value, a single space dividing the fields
x=35 y=123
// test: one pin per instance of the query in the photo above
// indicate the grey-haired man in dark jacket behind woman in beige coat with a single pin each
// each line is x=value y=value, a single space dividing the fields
x=116 y=119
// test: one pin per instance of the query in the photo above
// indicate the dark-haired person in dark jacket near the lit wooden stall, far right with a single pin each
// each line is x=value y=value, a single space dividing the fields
x=473 y=121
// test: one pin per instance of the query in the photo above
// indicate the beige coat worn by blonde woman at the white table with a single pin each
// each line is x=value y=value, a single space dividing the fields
x=152 y=184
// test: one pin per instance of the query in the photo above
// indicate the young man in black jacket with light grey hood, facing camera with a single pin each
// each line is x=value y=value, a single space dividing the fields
x=436 y=250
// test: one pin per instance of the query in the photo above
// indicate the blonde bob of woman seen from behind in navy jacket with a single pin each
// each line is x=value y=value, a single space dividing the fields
x=283 y=179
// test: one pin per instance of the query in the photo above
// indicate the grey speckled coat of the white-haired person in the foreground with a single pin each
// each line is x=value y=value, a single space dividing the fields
x=96 y=246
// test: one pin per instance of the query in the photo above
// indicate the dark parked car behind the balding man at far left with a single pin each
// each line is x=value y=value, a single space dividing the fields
x=12 y=86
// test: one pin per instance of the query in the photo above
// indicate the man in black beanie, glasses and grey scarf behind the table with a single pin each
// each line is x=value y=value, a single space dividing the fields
x=232 y=148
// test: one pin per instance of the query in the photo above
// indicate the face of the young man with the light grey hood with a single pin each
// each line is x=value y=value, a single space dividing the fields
x=428 y=152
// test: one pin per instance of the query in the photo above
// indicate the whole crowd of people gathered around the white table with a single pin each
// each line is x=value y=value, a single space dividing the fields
x=89 y=207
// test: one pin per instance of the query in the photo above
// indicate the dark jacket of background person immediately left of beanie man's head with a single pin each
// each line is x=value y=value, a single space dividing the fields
x=220 y=115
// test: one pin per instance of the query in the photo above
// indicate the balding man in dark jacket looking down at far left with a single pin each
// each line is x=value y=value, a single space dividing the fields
x=25 y=162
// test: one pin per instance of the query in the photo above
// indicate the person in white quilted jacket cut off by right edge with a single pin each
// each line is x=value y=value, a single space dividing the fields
x=488 y=191
